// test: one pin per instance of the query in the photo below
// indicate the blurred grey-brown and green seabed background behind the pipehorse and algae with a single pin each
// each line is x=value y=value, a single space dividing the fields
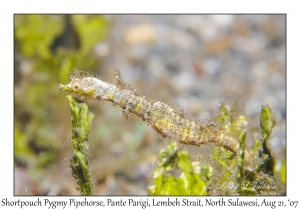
x=197 y=61
